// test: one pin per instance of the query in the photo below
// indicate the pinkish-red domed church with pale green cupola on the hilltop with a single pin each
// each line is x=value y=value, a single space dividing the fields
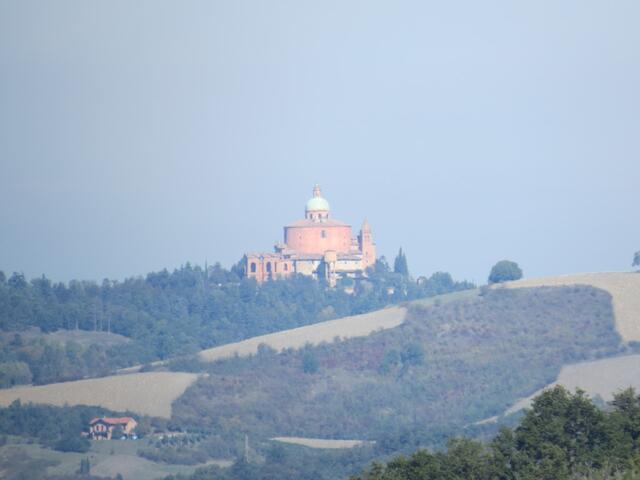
x=317 y=246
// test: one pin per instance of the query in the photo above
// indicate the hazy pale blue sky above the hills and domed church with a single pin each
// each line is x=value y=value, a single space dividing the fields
x=141 y=135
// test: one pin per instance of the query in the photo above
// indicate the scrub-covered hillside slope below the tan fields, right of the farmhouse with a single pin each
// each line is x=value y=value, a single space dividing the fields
x=481 y=354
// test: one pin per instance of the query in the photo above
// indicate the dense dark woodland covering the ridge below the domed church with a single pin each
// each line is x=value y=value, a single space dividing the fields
x=167 y=314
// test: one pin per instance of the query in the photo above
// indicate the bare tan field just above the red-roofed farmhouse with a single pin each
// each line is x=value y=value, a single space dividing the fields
x=149 y=393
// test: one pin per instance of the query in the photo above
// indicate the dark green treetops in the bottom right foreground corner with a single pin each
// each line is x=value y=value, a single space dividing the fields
x=563 y=436
